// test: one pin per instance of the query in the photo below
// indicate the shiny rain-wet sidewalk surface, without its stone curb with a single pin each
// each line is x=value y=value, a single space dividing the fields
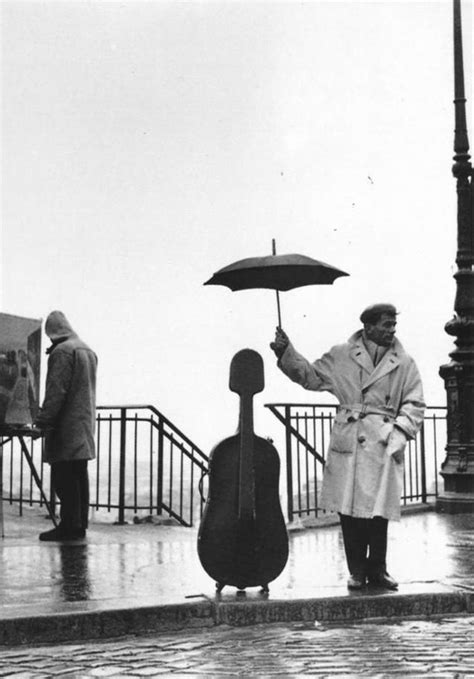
x=159 y=564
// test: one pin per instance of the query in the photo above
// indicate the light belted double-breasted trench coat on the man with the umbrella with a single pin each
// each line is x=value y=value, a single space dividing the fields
x=361 y=478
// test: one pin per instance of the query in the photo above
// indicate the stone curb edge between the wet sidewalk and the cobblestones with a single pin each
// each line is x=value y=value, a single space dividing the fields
x=107 y=624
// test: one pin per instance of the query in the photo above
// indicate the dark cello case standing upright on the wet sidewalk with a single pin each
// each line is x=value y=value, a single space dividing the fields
x=242 y=538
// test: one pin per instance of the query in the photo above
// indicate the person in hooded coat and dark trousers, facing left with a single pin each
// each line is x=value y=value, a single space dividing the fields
x=67 y=416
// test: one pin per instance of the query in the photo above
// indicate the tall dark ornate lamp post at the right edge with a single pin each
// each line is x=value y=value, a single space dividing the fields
x=457 y=469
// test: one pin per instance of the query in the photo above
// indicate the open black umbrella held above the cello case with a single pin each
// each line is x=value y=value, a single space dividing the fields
x=276 y=272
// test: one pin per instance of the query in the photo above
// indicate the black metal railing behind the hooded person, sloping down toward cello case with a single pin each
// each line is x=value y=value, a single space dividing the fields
x=144 y=464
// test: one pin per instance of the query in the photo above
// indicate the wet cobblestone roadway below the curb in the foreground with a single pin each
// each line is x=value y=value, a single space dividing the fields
x=431 y=648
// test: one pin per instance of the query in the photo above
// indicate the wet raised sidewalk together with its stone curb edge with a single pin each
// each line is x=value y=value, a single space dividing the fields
x=144 y=578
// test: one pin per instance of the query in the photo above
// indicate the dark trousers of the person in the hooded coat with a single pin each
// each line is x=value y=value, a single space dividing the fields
x=71 y=484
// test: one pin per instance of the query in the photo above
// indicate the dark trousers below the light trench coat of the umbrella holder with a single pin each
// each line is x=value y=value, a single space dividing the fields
x=365 y=544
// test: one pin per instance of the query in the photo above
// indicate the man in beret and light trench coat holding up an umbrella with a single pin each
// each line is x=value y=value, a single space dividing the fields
x=380 y=408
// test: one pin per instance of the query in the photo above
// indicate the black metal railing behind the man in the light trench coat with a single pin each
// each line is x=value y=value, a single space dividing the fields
x=307 y=432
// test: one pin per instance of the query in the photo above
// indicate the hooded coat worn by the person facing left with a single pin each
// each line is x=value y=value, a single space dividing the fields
x=68 y=410
